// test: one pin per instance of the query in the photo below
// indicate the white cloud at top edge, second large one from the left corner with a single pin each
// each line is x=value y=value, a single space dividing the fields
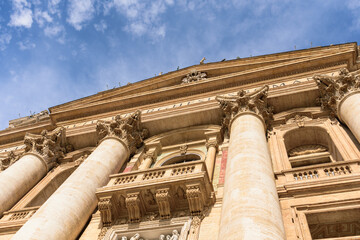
x=79 y=12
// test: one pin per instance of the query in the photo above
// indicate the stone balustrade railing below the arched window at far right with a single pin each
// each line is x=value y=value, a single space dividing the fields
x=318 y=172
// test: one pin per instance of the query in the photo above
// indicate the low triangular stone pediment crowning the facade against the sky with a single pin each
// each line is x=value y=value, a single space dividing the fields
x=218 y=75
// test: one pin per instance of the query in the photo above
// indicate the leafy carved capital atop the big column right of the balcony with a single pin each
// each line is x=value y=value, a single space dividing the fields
x=255 y=102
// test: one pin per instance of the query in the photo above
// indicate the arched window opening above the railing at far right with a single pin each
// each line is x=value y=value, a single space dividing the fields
x=310 y=145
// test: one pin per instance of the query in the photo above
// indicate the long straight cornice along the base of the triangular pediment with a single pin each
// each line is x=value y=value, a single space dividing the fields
x=211 y=84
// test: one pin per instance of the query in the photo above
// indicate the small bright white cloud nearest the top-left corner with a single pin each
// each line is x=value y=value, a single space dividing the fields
x=22 y=15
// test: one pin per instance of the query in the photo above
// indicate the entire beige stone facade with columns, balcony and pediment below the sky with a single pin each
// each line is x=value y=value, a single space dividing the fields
x=264 y=147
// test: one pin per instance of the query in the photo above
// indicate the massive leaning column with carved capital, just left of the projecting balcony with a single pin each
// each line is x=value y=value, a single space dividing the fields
x=66 y=212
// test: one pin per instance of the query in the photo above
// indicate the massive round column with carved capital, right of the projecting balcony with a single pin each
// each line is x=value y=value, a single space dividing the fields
x=251 y=208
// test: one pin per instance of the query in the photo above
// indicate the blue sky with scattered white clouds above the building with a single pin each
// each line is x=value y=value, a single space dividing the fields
x=55 y=51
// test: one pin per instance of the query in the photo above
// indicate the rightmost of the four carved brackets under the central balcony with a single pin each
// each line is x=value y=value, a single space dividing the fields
x=194 y=196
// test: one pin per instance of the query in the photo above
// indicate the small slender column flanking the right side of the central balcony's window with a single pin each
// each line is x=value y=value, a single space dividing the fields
x=212 y=142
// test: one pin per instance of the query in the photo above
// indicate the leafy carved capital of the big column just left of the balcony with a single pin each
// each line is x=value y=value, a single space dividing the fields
x=127 y=129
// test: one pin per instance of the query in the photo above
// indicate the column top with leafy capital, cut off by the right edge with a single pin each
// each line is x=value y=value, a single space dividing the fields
x=341 y=95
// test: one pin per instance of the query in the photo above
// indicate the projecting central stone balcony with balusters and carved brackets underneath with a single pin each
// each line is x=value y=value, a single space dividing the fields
x=160 y=193
